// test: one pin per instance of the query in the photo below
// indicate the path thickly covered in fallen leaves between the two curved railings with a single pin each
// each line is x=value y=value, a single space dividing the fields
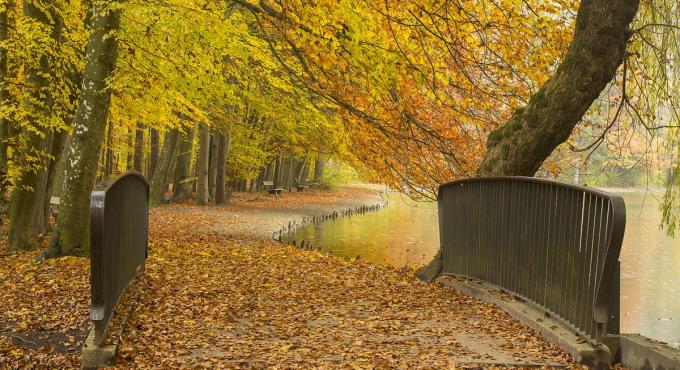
x=224 y=301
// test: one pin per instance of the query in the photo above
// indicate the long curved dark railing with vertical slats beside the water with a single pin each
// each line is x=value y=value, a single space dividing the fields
x=553 y=244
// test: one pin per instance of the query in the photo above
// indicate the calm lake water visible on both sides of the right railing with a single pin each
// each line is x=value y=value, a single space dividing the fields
x=406 y=233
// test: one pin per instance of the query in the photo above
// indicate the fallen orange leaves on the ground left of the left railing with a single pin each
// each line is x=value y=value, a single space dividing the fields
x=44 y=307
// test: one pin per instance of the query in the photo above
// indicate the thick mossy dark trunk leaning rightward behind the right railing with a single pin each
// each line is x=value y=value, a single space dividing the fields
x=519 y=147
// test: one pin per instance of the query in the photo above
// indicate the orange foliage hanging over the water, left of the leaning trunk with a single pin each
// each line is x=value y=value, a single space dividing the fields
x=422 y=83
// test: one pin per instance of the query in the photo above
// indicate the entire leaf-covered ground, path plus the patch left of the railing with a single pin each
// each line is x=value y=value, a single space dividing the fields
x=218 y=292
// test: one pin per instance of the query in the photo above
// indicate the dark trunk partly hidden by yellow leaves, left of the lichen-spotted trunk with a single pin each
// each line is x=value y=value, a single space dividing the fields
x=27 y=220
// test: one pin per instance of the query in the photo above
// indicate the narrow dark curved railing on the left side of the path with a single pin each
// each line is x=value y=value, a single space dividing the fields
x=119 y=219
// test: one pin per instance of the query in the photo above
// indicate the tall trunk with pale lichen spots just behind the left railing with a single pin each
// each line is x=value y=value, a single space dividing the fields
x=82 y=152
